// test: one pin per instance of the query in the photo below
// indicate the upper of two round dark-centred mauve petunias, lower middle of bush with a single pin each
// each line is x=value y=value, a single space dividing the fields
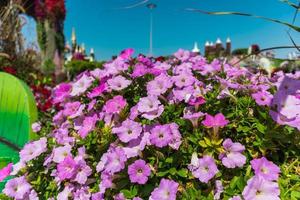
x=161 y=135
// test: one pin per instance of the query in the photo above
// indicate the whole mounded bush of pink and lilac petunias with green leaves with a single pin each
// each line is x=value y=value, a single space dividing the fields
x=180 y=128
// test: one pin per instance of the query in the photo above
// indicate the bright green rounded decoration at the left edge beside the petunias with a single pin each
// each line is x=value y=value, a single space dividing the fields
x=17 y=112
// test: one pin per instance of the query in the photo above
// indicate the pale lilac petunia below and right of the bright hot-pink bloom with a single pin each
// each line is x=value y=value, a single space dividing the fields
x=232 y=157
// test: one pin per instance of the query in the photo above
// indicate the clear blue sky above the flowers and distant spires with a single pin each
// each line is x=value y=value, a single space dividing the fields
x=108 y=30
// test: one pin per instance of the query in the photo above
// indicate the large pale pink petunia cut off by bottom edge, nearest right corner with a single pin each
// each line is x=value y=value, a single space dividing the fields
x=261 y=189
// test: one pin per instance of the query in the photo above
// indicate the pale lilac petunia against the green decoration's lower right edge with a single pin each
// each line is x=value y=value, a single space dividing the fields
x=33 y=150
